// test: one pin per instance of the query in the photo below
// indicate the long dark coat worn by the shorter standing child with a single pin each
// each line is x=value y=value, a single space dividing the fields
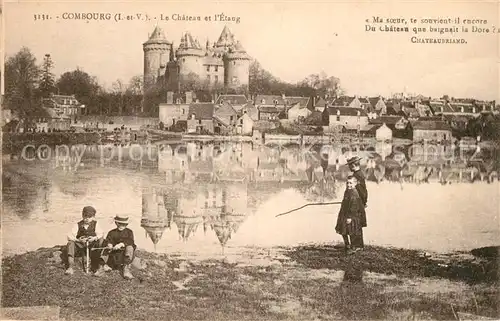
x=352 y=207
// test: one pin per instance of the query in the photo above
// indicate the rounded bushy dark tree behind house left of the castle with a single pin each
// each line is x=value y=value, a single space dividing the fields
x=83 y=86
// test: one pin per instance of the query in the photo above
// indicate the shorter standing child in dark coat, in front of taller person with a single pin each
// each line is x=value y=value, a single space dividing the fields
x=349 y=221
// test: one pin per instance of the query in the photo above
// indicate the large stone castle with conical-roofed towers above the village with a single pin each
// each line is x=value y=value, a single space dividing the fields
x=224 y=63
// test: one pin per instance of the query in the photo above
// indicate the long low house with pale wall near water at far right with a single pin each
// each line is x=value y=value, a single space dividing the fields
x=430 y=130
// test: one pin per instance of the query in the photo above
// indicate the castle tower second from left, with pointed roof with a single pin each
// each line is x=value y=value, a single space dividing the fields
x=189 y=56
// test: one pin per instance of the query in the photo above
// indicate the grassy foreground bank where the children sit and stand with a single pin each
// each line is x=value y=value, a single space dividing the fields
x=313 y=282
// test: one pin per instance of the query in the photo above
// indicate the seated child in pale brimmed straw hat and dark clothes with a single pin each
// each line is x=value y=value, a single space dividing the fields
x=121 y=246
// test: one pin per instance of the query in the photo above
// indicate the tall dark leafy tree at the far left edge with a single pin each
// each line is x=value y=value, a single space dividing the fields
x=21 y=80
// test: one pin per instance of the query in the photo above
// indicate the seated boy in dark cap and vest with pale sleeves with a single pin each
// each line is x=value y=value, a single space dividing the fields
x=86 y=230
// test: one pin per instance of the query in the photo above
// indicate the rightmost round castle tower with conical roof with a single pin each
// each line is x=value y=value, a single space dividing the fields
x=236 y=67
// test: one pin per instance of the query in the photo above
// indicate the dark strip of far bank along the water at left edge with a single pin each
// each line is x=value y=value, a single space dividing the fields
x=16 y=141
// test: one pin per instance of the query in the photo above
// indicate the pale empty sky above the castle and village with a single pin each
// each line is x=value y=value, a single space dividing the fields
x=290 y=39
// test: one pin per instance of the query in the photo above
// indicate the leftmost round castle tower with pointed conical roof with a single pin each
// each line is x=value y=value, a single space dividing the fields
x=156 y=55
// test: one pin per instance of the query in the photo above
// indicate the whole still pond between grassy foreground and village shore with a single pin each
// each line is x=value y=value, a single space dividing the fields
x=228 y=193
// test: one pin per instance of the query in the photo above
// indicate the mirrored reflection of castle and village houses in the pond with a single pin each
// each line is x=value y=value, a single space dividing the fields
x=214 y=187
